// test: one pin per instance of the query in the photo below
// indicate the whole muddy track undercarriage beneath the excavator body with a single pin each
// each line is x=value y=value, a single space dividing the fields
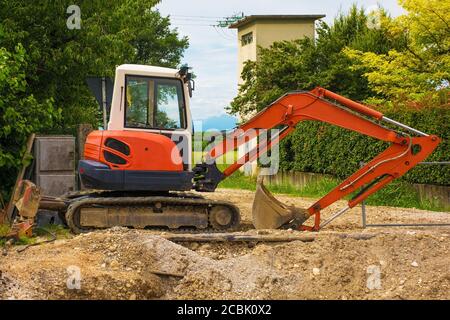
x=85 y=212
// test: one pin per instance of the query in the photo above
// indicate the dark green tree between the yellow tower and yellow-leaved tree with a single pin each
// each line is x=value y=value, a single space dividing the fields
x=306 y=63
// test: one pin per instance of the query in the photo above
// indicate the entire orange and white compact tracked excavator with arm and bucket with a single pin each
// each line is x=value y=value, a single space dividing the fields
x=138 y=172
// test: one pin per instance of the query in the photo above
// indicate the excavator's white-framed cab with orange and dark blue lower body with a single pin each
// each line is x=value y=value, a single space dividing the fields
x=148 y=142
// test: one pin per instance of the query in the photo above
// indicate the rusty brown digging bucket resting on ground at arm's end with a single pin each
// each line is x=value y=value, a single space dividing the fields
x=269 y=213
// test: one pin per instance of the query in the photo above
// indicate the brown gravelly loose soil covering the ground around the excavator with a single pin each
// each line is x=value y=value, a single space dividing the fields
x=397 y=263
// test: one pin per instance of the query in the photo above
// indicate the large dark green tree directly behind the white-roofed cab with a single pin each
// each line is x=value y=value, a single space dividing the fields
x=59 y=59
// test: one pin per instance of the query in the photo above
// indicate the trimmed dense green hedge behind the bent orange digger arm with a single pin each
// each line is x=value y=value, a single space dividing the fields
x=322 y=148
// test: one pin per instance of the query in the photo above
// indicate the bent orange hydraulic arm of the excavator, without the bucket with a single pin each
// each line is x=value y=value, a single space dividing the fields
x=404 y=153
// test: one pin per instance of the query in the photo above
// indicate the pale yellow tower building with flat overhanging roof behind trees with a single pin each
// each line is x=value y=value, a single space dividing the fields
x=264 y=30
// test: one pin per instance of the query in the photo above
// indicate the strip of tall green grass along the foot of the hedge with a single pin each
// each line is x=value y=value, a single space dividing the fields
x=396 y=194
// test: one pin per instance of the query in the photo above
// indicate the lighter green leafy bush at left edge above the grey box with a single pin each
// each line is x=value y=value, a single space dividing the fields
x=20 y=114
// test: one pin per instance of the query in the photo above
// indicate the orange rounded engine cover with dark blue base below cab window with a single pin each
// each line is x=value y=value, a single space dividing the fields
x=128 y=160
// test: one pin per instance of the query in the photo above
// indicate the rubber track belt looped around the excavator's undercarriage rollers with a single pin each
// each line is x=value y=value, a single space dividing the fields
x=73 y=209
